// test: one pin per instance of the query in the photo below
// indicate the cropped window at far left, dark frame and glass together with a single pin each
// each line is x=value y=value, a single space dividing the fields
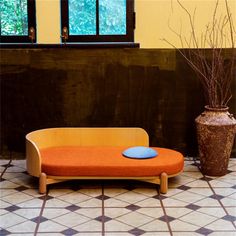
x=17 y=21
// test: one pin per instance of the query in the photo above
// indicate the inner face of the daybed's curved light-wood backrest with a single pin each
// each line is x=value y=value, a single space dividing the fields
x=75 y=136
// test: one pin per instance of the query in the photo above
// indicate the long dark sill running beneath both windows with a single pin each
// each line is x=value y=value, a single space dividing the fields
x=72 y=45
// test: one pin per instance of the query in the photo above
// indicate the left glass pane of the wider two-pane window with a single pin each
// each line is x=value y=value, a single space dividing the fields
x=82 y=17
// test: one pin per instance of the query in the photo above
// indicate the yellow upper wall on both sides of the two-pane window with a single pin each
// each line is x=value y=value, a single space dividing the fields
x=152 y=17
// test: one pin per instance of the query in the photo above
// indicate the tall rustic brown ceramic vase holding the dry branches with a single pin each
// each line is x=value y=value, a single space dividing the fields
x=216 y=129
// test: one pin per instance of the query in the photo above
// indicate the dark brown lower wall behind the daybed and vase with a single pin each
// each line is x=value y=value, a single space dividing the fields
x=54 y=87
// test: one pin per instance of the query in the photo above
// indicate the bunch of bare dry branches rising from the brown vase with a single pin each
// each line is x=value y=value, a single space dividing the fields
x=211 y=66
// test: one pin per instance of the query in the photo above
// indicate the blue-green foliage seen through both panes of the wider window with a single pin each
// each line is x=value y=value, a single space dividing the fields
x=112 y=17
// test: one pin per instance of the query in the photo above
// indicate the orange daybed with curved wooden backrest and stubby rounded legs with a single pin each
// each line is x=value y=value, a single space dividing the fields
x=59 y=154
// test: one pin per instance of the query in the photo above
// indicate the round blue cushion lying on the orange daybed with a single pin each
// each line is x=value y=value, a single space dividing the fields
x=140 y=152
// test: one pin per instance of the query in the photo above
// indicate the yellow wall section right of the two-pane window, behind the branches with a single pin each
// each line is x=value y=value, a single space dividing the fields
x=153 y=17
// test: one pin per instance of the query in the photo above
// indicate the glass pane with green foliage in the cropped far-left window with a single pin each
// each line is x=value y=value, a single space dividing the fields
x=14 y=19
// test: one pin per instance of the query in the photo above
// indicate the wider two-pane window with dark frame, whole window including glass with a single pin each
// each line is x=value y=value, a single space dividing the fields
x=97 y=20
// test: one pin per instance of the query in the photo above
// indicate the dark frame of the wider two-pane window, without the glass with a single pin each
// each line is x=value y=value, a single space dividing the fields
x=128 y=37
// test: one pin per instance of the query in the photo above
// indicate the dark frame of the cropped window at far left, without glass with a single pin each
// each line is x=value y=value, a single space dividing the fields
x=31 y=23
